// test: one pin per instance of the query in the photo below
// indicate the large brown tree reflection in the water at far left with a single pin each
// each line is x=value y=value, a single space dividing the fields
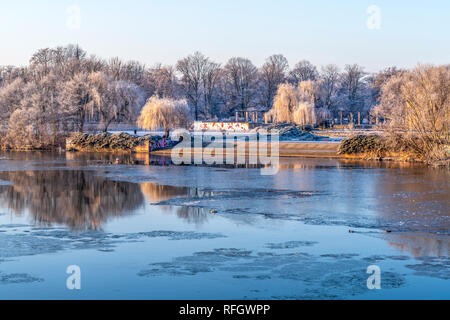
x=78 y=199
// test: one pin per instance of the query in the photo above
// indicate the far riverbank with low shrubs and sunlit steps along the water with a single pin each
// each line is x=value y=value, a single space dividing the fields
x=360 y=147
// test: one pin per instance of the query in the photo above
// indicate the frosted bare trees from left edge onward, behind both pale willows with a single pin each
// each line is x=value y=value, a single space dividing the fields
x=62 y=89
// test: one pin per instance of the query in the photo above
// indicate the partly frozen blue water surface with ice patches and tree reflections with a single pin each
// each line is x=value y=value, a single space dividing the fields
x=161 y=231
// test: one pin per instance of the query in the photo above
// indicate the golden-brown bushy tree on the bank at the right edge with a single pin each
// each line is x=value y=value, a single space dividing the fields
x=416 y=106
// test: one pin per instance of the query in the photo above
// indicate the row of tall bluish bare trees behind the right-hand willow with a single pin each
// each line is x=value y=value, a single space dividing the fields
x=214 y=90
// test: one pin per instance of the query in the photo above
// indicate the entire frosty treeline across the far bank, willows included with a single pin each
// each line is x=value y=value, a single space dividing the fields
x=64 y=89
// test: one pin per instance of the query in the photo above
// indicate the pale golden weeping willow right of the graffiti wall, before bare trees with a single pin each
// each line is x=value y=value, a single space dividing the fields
x=294 y=104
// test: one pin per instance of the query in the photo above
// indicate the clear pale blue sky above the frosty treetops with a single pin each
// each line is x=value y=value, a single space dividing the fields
x=322 y=31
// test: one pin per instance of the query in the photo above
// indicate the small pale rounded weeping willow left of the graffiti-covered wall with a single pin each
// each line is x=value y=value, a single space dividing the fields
x=164 y=112
